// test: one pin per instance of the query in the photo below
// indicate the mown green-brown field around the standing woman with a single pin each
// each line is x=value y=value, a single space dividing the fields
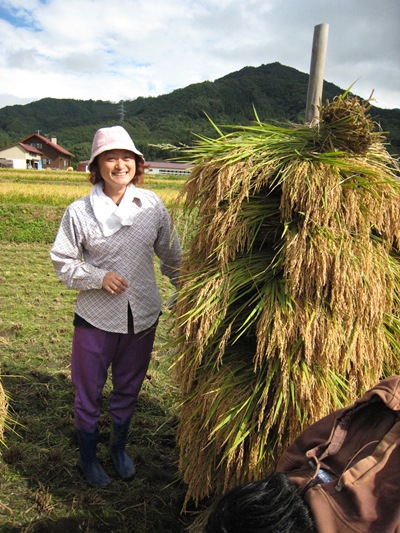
x=40 y=486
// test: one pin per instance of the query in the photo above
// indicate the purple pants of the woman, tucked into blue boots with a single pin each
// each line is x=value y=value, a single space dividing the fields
x=93 y=352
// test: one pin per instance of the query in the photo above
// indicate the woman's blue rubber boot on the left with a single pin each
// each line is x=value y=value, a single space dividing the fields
x=88 y=463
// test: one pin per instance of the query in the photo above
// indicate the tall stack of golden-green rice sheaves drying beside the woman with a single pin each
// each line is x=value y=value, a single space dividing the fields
x=290 y=294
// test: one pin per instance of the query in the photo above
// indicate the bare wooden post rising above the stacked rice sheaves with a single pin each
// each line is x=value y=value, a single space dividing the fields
x=316 y=79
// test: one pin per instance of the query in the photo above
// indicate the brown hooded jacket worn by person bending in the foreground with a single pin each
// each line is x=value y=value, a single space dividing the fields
x=359 y=448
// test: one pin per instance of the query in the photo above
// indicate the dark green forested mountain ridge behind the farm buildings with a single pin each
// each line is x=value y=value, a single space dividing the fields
x=275 y=91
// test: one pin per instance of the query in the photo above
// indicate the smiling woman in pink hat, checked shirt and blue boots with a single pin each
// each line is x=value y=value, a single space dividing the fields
x=105 y=248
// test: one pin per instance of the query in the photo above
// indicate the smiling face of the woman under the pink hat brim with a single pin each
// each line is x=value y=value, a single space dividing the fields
x=117 y=168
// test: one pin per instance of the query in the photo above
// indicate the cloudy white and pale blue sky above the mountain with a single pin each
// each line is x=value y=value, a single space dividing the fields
x=117 y=50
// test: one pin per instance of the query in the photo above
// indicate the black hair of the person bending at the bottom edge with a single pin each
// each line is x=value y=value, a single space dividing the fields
x=273 y=505
